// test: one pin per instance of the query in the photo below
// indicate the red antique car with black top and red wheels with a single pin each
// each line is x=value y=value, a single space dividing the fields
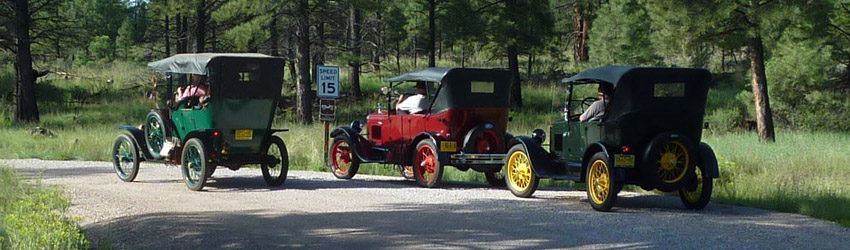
x=463 y=125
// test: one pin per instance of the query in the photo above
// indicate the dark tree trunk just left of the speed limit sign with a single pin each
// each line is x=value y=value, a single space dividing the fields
x=305 y=96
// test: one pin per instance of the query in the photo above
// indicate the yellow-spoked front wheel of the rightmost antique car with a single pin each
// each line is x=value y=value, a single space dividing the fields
x=520 y=177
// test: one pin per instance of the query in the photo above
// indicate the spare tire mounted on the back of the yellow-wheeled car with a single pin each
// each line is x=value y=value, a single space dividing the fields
x=669 y=161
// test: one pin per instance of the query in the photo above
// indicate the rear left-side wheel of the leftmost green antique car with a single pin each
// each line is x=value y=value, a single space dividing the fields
x=194 y=164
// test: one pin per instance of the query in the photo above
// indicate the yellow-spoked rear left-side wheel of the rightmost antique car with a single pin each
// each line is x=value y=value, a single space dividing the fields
x=602 y=187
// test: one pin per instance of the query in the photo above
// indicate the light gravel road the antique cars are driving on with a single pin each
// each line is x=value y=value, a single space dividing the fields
x=315 y=210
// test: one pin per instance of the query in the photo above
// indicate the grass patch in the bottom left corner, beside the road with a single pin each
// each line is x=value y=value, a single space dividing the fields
x=34 y=217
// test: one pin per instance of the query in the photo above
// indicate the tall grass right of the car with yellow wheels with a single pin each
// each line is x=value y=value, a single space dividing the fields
x=802 y=173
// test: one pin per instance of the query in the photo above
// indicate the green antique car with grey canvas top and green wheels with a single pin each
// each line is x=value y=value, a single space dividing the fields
x=231 y=127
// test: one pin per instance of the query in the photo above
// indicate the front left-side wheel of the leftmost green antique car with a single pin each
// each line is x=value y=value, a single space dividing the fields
x=125 y=158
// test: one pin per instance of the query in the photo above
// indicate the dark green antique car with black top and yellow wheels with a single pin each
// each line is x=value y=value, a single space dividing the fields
x=649 y=136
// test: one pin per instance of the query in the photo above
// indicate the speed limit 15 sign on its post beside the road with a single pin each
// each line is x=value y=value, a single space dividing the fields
x=328 y=89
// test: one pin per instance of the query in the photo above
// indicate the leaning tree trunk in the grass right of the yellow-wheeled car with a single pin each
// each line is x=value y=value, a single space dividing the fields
x=764 y=116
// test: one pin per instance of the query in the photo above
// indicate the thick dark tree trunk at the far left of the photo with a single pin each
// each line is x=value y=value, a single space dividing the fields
x=27 y=108
